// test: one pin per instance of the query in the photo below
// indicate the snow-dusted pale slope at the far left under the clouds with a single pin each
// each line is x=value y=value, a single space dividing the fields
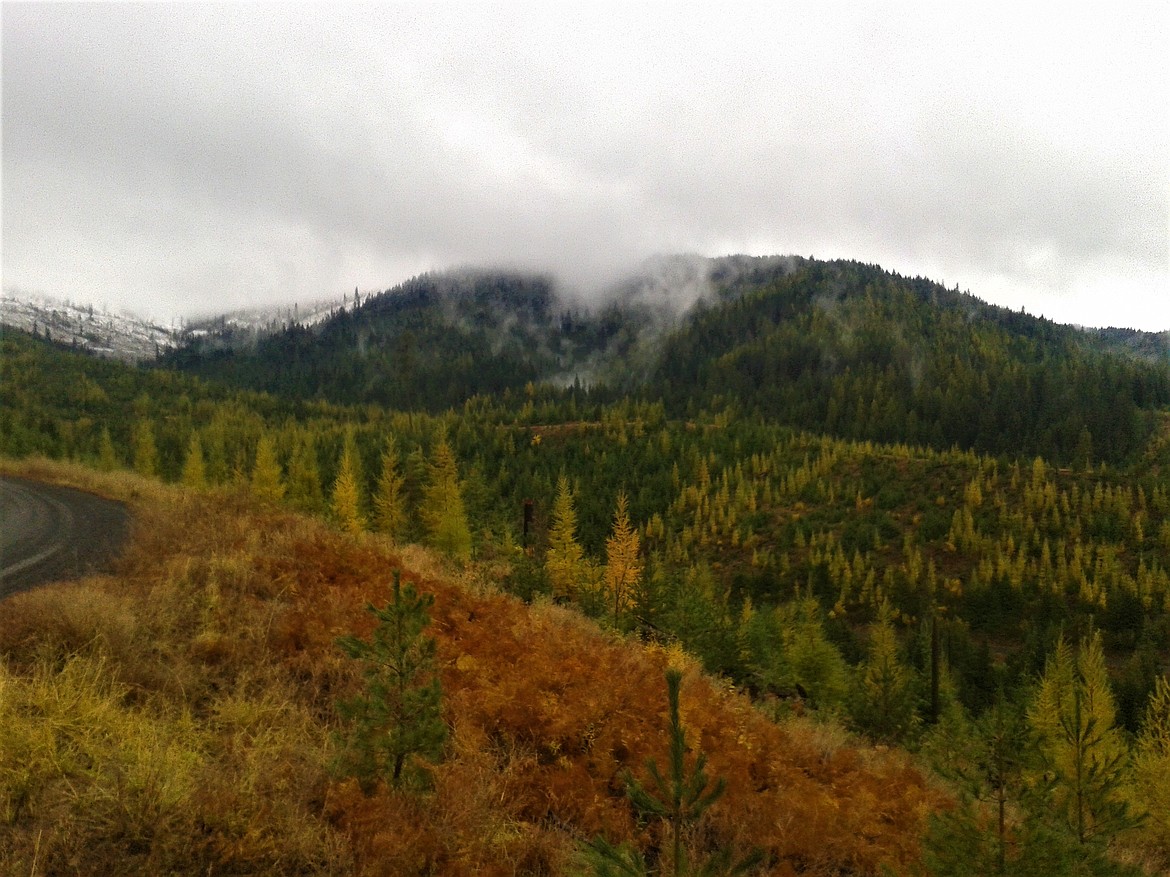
x=118 y=336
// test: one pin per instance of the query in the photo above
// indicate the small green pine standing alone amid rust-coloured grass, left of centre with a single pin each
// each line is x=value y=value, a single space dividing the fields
x=397 y=722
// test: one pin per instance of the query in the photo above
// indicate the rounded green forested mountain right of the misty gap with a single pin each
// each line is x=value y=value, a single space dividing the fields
x=851 y=350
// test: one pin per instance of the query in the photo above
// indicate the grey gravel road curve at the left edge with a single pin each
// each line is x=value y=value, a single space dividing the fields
x=51 y=534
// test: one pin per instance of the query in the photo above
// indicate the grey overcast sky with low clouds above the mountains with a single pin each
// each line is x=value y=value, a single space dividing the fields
x=175 y=160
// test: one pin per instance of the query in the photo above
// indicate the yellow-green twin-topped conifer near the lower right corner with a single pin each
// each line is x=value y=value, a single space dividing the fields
x=1075 y=721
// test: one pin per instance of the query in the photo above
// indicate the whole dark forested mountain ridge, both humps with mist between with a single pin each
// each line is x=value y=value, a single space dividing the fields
x=841 y=348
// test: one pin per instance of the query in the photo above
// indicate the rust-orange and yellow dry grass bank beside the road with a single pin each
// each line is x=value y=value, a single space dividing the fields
x=177 y=717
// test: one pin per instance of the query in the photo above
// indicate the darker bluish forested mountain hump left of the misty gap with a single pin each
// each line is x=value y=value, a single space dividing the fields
x=431 y=343
